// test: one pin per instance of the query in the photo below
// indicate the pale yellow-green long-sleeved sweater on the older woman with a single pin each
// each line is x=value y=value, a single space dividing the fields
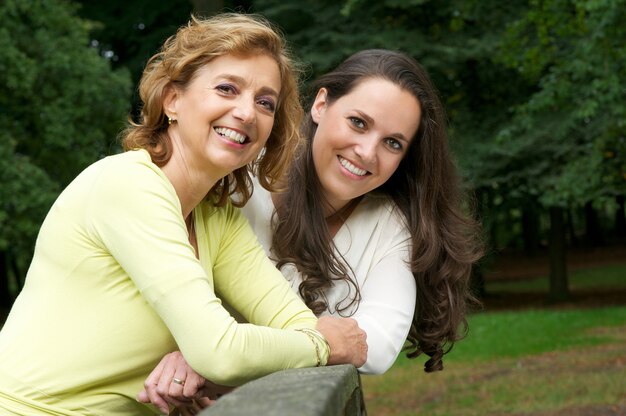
x=114 y=285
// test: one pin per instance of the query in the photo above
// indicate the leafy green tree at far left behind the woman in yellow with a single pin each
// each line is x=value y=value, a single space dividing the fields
x=62 y=107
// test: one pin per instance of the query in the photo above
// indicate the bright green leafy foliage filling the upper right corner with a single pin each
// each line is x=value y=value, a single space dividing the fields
x=565 y=133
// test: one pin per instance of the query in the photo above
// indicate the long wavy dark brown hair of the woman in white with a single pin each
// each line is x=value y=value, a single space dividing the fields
x=426 y=190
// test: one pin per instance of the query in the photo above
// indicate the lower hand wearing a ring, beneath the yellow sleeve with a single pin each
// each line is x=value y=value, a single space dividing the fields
x=161 y=390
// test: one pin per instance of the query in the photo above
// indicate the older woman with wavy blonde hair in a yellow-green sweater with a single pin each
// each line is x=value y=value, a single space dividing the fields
x=131 y=257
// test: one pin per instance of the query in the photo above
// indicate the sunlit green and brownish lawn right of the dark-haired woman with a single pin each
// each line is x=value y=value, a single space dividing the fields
x=548 y=362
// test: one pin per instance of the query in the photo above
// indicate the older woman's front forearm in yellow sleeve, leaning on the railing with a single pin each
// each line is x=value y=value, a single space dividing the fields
x=227 y=352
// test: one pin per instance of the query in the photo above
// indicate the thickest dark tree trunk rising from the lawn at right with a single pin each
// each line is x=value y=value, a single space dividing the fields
x=559 y=290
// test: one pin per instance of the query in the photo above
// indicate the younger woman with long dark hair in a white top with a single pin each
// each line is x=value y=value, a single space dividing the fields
x=372 y=223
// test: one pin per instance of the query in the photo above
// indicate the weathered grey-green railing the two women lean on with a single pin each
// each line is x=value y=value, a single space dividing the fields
x=320 y=391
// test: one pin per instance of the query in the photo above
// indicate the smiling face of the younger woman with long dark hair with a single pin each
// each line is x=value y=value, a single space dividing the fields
x=361 y=138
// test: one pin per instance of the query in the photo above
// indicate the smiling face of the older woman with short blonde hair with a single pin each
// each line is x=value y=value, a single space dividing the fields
x=226 y=114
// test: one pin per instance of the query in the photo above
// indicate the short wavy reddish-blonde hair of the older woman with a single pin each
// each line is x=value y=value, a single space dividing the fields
x=176 y=64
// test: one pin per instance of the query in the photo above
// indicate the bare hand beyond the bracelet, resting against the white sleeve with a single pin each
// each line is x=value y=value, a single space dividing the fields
x=348 y=342
